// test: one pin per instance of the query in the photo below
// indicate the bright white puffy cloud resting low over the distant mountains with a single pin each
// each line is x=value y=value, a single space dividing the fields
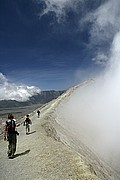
x=12 y=91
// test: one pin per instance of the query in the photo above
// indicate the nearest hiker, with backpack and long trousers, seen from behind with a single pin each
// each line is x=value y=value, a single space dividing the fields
x=11 y=135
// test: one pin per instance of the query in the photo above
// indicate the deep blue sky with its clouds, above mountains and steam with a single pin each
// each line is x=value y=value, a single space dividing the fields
x=54 y=44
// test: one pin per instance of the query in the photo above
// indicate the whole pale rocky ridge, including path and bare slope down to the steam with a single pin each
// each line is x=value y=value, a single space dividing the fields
x=47 y=153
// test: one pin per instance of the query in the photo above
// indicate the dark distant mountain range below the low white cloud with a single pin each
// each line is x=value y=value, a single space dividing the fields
x=42 y=98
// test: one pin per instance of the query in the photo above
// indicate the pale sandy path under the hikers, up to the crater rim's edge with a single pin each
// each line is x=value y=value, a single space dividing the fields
x=41 y=157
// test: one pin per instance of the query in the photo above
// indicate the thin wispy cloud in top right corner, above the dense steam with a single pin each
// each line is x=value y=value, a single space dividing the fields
x=105 y=21
